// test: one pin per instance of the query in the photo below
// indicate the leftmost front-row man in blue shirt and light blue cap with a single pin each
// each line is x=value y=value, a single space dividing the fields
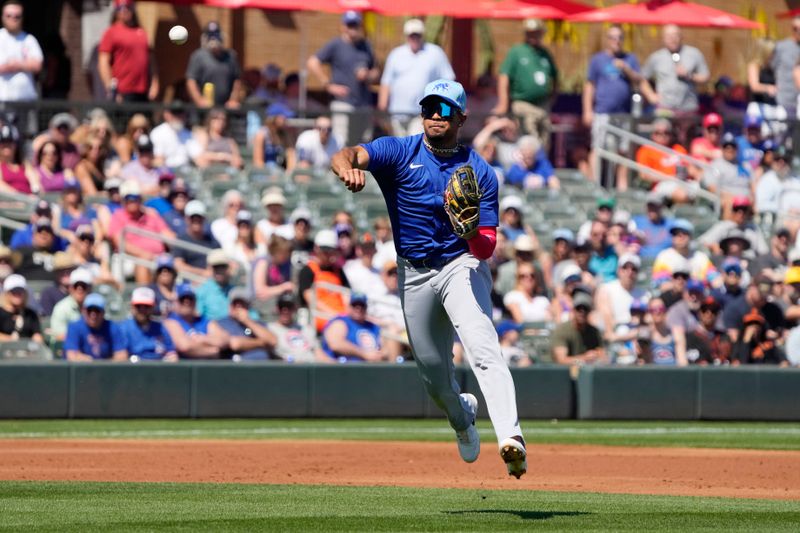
x=92 y=337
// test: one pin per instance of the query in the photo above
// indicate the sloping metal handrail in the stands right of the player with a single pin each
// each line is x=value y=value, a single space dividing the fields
x=612 y=157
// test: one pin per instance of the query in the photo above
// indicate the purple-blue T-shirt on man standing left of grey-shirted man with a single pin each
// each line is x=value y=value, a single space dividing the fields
x=612 y=89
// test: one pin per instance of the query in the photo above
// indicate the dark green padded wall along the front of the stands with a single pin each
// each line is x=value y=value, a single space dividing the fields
x=214 y=389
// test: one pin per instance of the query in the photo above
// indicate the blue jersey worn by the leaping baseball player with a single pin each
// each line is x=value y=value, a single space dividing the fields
x=413 y=180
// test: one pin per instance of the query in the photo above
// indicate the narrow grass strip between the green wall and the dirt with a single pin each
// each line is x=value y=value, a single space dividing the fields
x=757 y=435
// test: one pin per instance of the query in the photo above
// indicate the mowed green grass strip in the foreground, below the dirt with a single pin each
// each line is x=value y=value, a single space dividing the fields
x=223 y=507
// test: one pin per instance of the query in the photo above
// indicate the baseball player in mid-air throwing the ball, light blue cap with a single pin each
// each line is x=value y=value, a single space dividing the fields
x=442 y=201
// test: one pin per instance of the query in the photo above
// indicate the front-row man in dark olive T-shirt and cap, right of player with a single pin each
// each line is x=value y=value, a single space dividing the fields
x=577 y=341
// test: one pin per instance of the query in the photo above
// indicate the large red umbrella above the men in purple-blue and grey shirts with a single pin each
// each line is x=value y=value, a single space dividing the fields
x=659 y=12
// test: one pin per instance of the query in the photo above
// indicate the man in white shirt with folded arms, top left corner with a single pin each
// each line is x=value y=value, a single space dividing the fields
x=21 y=57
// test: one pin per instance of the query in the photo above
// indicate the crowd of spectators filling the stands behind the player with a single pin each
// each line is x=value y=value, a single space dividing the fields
x=622 y=289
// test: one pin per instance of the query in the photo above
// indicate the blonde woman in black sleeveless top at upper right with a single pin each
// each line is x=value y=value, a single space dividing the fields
x=761 y=82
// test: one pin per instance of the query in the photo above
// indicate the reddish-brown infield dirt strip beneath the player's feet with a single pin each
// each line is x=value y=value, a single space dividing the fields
x=676 y=471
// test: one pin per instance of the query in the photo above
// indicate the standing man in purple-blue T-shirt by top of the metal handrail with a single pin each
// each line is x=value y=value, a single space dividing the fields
x=612 y=79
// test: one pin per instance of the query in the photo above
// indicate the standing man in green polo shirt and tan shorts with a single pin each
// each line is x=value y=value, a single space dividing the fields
x=529 y=81
